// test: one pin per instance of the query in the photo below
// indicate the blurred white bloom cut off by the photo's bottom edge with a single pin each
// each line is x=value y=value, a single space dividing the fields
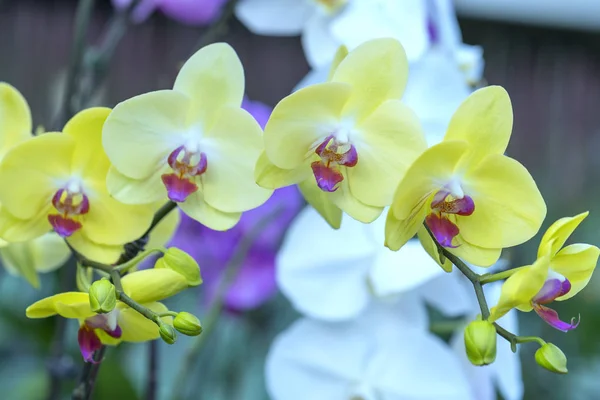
x=381 y=355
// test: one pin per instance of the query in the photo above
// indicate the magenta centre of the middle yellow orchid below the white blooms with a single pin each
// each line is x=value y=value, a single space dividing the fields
x=334 y=154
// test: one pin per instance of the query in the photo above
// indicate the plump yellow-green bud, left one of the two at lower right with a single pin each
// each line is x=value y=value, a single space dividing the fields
x=480 y=342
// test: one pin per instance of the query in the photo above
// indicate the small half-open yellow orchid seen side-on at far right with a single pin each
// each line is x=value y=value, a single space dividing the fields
x=558 y=274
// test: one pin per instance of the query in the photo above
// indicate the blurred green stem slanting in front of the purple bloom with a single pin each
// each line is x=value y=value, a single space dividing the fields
x=209 y=323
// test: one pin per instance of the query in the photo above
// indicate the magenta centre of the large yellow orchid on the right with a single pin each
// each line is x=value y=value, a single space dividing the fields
x=445 y=206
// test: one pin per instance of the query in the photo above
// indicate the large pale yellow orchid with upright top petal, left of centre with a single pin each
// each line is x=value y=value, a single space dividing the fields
x=193 y=143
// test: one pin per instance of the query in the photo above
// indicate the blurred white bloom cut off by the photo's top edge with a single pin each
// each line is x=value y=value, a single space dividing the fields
x=327 y=24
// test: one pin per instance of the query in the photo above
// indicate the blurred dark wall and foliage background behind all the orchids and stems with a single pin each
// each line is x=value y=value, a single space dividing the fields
x=546 y=55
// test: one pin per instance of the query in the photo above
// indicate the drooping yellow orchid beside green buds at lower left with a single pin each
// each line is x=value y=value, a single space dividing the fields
x=146 y=287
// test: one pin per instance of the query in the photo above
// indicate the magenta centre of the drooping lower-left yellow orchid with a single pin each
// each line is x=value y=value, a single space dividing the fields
x=89 y=341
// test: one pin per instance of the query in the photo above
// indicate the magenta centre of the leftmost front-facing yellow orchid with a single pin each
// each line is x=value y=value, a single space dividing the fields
x=70 y=203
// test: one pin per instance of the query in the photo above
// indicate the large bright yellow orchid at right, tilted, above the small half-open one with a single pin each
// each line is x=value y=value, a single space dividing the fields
x=474 y=199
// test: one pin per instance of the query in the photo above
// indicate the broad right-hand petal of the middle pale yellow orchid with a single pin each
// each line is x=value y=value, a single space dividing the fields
x=388 y=142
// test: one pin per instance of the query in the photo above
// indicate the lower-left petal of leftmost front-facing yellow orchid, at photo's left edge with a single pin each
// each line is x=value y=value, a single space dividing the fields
x=13 y=229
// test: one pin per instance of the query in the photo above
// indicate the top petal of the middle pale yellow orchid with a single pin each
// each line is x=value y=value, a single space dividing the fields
x=377 y=71
